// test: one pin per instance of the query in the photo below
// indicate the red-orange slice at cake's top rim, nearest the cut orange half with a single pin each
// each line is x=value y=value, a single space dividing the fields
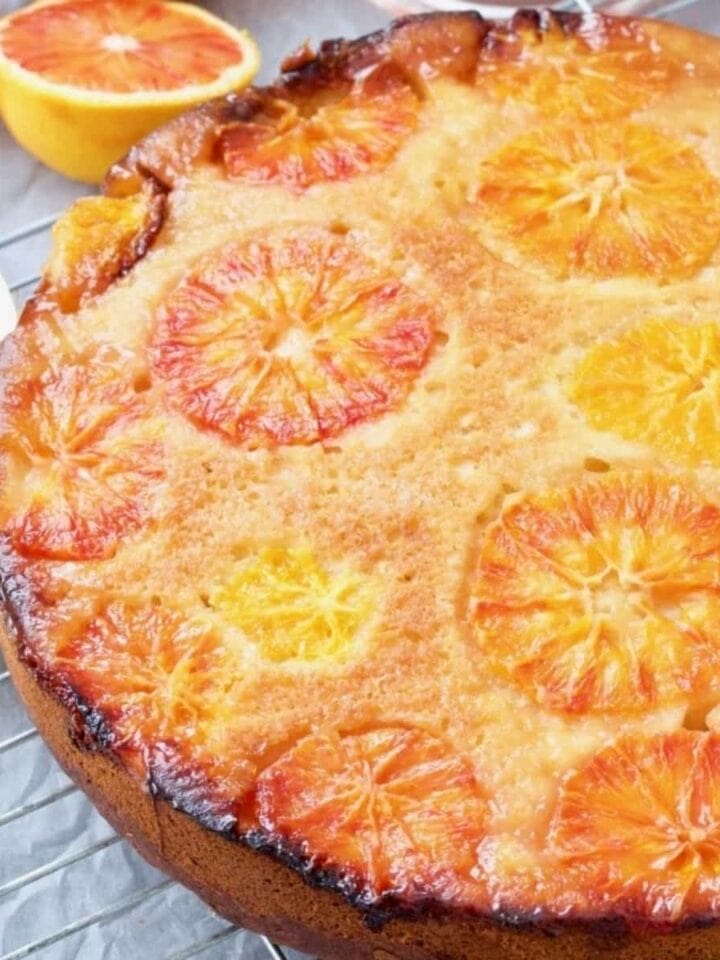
x=356 y=134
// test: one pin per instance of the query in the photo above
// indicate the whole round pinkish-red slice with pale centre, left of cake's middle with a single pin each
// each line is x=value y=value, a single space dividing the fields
x=290 y=338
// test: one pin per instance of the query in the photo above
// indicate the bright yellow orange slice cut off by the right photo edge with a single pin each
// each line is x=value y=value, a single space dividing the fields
x=659 y=384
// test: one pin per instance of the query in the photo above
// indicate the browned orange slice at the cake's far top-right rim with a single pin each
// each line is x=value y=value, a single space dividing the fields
x=607 y=71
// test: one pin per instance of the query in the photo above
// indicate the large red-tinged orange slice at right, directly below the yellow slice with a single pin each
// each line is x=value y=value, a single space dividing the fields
x=602 y=596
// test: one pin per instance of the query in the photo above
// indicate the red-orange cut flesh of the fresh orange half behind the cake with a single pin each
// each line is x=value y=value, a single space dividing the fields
x=118 y=46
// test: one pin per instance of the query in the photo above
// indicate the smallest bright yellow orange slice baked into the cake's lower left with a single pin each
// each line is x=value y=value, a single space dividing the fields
x=293 y=608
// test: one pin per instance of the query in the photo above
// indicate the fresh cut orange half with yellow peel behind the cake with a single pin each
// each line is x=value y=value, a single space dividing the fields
x=82 y=80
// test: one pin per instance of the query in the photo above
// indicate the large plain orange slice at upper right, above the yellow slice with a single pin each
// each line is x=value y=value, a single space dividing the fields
x=602 y=201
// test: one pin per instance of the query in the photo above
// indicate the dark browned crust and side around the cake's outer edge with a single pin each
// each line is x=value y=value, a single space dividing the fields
x=83 y=739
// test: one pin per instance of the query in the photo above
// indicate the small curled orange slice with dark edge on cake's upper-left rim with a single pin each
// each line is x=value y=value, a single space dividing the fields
x=98 y=240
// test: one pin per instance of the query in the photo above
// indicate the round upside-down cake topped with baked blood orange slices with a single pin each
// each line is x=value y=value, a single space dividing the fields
x=360 y=503
